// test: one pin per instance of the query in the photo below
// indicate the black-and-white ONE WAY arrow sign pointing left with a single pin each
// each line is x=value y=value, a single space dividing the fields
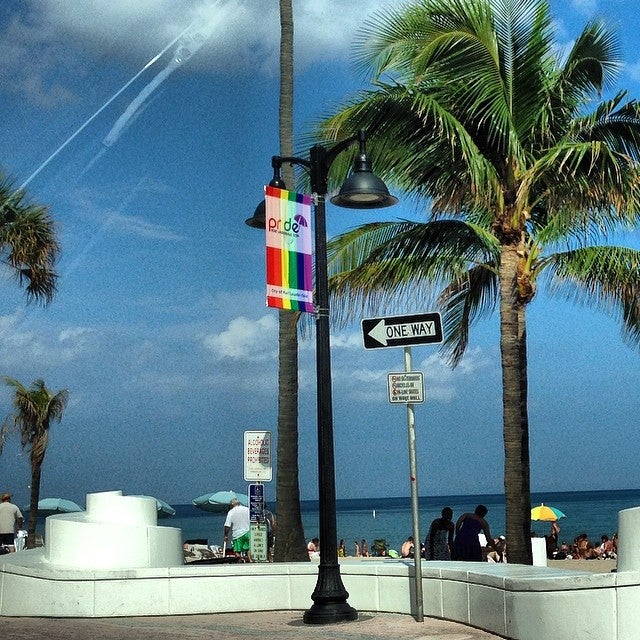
x=402 y=331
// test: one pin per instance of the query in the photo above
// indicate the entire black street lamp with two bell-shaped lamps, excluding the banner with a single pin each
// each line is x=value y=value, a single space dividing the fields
x=361 y=190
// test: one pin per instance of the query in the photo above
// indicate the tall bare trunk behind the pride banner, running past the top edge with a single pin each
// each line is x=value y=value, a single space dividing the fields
x=290 y=542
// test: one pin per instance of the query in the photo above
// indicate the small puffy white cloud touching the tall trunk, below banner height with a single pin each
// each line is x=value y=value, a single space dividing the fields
x=245 y=339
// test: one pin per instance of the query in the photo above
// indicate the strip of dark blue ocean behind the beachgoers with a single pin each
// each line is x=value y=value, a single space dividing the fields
x=591 y=512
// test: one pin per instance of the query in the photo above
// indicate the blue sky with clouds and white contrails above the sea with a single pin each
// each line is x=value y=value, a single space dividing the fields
x=147 y=127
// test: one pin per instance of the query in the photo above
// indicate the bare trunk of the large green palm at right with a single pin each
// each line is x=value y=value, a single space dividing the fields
x=515 y=415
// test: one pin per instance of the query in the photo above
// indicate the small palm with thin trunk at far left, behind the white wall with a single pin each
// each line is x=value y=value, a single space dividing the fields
x=35 y=408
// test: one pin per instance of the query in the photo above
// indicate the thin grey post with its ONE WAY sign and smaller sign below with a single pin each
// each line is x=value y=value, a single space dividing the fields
x=407 y=388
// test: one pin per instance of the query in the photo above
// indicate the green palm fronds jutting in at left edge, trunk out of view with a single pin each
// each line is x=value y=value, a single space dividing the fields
x=28 y=243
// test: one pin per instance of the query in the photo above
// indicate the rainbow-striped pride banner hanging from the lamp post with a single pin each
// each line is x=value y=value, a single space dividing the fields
x=289 y=254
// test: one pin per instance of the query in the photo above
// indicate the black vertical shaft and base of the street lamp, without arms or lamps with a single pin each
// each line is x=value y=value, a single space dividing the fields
x=330 y=596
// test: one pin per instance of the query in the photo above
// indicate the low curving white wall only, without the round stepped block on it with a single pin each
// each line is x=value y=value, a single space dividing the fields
x=514 y=601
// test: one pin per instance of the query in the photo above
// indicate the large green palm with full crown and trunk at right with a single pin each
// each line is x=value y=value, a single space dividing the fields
x=525 y=171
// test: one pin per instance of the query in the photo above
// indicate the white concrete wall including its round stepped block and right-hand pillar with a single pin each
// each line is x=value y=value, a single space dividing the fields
x=115 y=561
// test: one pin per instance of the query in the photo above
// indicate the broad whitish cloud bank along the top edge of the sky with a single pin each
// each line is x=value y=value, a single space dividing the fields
x=49 y=36
